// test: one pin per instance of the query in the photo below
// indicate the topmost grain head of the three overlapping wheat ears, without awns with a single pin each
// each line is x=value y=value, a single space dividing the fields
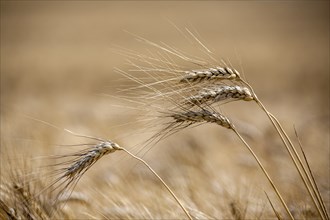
x=217 y=73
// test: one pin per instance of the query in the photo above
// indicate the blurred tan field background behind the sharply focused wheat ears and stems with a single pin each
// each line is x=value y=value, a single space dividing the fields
x=57 y=58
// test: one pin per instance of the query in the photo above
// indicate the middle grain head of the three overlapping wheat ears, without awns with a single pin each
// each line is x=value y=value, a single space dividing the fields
x=220 y=93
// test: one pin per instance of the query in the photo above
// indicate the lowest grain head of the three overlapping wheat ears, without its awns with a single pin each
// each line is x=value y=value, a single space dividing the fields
x=202 y=116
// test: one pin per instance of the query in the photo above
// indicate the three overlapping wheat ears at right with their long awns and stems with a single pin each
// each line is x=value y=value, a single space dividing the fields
x=187 y=97
